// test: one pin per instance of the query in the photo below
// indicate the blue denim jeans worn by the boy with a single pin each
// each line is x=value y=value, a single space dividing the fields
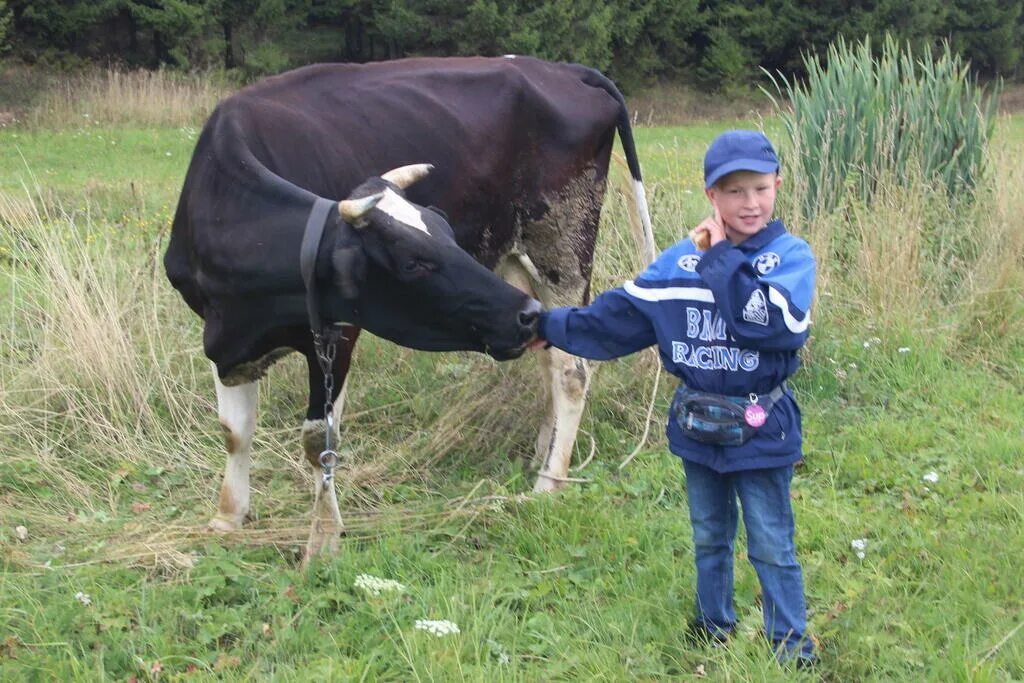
x=764 y=498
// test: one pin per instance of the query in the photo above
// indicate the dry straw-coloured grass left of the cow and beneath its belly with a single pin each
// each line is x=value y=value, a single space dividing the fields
x=103 y=373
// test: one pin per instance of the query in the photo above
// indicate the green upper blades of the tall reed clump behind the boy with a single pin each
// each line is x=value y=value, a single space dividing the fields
x=860 y=122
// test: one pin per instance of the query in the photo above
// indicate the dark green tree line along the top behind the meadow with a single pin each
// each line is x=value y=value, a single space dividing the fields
x=707 y=44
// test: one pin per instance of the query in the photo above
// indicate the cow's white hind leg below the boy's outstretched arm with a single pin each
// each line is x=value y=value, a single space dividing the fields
x=570 y=378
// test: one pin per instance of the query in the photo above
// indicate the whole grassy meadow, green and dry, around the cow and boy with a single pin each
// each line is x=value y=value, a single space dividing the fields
x=912 y=394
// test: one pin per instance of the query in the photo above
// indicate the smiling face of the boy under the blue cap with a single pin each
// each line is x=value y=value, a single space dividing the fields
x=745 y=201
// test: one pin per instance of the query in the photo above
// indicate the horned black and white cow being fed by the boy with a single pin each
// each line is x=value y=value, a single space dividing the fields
x=520 y=150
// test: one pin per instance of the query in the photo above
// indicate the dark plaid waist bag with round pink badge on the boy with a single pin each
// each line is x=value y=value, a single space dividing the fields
x=721 y=420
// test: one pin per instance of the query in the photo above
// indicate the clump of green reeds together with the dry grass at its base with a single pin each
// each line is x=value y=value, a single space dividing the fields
x=880 y=156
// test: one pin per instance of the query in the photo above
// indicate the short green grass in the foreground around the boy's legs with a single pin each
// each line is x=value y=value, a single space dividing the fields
x=595 y=584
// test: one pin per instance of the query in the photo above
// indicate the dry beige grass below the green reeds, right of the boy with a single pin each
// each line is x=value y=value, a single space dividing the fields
x=910 y=261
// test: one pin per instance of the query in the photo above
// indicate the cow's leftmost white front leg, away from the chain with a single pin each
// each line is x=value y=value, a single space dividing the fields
x=237 y=410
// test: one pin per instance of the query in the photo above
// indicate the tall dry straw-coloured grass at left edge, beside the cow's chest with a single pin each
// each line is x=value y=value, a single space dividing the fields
x=86 y=367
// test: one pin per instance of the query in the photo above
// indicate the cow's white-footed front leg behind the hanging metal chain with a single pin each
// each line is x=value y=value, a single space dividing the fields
x=327 y=526
